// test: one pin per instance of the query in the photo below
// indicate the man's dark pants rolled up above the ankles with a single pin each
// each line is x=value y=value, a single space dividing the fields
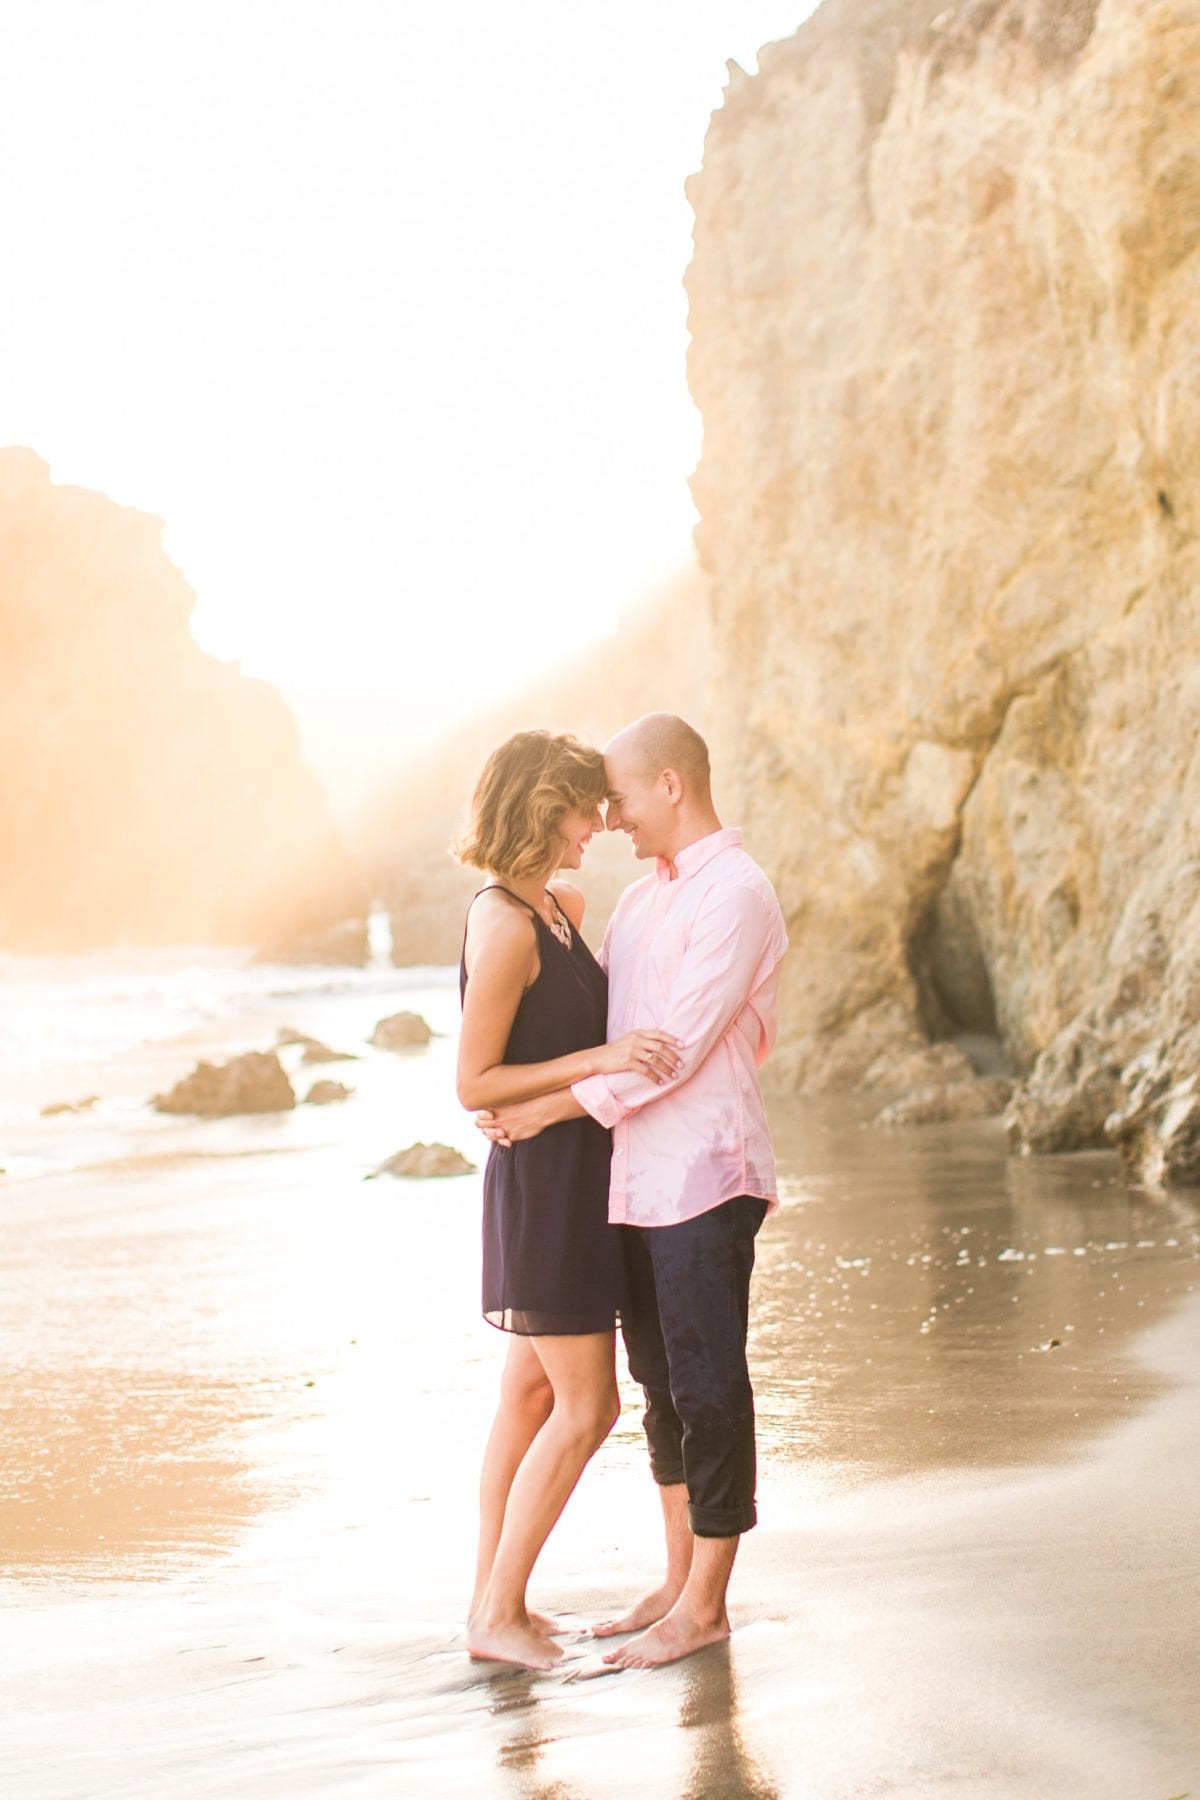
x=686 y=1340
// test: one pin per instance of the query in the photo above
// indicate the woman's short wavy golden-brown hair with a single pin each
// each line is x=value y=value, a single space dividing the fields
x=526 y=791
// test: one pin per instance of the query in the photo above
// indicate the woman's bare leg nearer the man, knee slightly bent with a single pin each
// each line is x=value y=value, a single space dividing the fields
x=582 y=1372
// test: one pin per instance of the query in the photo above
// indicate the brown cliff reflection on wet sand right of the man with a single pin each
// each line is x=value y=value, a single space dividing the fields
x=922 y=1300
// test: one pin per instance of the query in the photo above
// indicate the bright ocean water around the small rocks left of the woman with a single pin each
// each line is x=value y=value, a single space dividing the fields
x=127 y=1025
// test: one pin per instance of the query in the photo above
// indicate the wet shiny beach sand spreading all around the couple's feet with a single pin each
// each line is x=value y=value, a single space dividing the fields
x=244 y=1396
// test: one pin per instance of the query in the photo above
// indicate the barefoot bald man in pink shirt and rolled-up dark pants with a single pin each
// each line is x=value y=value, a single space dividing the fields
x=692 y=949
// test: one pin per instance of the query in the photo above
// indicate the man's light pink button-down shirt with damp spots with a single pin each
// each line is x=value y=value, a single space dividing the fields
x=697 y=957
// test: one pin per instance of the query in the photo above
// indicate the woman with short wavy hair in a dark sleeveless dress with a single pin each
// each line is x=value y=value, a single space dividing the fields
x=533 y=1020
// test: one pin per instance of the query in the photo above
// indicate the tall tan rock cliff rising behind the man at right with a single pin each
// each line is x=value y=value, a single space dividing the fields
x=945 y=318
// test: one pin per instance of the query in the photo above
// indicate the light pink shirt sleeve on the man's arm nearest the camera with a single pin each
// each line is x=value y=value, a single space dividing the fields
x=728 y=957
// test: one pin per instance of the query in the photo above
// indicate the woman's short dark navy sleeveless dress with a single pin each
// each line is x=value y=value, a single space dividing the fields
x=553 y=1264
